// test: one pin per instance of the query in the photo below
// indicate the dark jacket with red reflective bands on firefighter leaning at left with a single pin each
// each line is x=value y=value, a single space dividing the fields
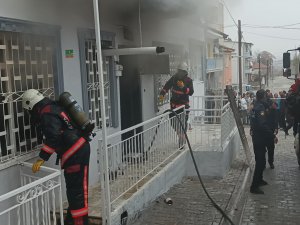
x=60 y=135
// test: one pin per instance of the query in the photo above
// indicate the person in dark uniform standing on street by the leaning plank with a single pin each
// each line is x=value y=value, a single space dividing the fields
x=260 y=132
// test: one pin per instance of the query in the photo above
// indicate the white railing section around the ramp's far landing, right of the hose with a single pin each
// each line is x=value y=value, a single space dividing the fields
x=210 y=122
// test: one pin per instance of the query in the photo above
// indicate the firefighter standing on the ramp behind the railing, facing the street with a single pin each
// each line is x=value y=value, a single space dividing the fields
x=181 y=87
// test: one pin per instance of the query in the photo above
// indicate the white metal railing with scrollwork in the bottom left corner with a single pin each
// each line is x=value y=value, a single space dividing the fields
x=34 y=199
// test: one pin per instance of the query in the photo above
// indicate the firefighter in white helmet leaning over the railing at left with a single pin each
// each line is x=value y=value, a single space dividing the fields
x=71 y=147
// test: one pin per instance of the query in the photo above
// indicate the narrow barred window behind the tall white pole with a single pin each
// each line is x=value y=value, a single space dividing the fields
x=93 y=85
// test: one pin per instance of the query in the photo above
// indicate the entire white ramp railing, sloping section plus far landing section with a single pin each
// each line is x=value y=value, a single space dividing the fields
x=136 y=154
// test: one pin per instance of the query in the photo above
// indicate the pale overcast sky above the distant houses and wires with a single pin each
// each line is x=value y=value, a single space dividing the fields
x=267 y=13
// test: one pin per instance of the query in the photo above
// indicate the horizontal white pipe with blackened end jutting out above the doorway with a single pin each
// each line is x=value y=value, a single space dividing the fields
x=133 y=51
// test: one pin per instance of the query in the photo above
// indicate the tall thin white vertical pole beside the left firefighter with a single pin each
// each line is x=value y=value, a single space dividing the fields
x=104 y=176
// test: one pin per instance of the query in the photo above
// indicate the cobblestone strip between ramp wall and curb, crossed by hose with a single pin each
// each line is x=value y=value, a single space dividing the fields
x=190 y=204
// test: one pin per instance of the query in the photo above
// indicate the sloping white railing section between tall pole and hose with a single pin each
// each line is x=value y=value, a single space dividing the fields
x=134 y=153
